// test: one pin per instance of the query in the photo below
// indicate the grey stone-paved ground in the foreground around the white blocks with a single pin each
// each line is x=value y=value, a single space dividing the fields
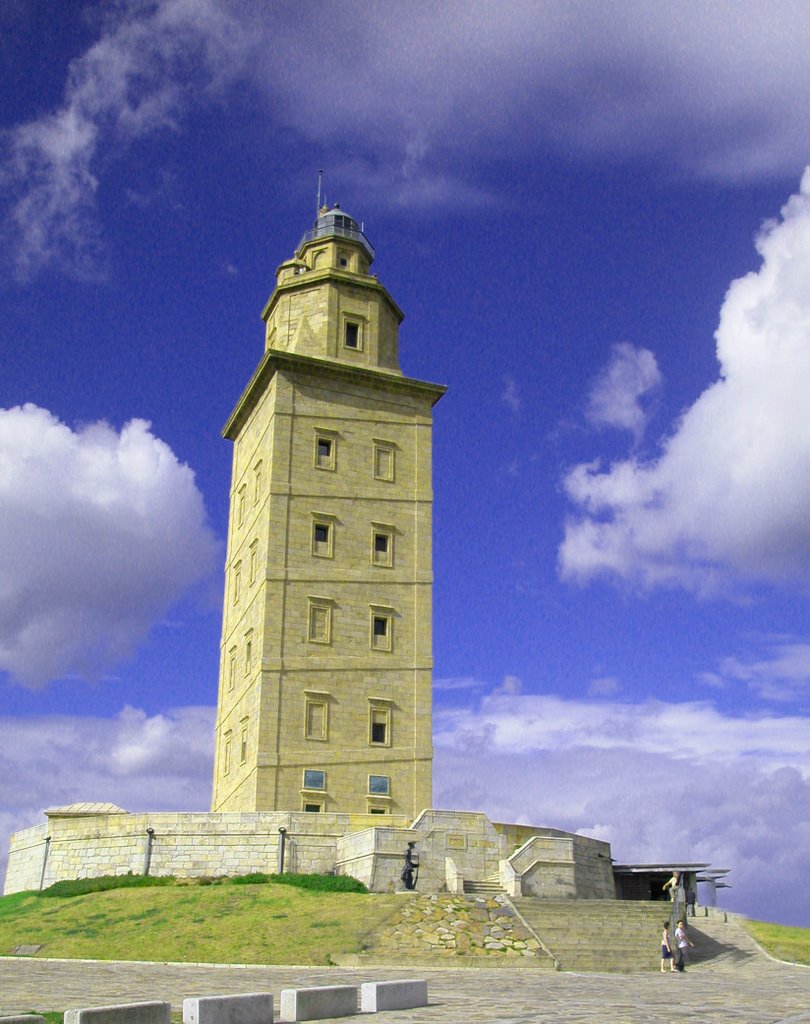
x=759 y=993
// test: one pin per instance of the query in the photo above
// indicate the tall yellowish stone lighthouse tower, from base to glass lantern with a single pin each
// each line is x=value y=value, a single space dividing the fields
x=325 y=689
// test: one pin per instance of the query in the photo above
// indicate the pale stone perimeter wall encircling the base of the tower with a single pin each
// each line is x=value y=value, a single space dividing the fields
x=453 y=846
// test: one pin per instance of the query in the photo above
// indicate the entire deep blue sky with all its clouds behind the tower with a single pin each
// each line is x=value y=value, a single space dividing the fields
x=598 y=222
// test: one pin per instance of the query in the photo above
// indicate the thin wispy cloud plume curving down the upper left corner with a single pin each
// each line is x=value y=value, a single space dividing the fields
x=138 y=80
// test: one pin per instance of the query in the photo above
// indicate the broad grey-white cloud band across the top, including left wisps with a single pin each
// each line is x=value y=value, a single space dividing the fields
x=681 y=86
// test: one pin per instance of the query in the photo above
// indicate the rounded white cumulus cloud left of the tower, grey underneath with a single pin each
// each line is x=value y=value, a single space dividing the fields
x=101 y=533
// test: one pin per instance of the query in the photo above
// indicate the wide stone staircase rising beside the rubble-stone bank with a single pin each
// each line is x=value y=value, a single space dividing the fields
x=617 y=936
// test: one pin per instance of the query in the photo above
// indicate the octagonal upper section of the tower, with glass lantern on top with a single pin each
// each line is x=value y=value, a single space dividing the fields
x=327 y=305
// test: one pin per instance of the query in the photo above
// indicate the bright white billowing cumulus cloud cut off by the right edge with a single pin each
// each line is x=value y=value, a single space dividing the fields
x=727 y=500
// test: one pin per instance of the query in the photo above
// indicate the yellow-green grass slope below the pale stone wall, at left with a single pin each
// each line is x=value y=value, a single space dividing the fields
x=226 y=924
